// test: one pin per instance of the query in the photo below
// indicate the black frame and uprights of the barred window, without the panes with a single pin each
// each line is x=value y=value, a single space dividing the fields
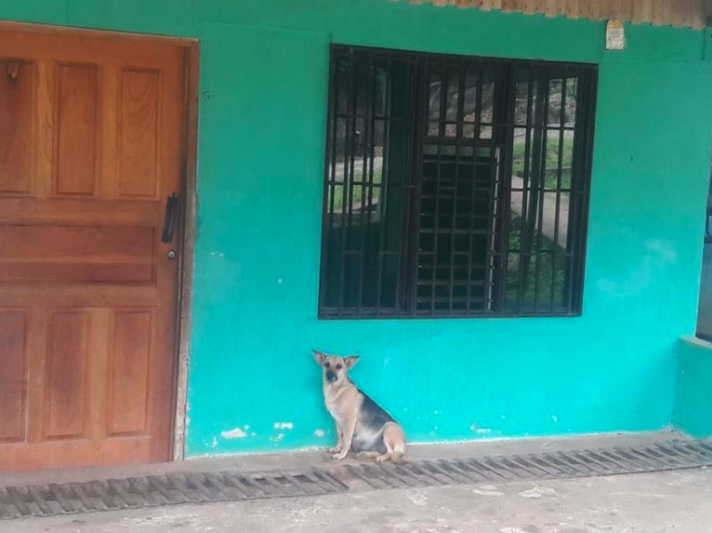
x=416 y=139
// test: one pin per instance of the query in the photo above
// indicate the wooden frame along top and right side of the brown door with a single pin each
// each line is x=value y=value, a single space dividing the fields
x=191 y=49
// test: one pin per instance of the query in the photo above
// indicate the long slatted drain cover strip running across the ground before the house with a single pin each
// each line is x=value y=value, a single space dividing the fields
x=154 y=491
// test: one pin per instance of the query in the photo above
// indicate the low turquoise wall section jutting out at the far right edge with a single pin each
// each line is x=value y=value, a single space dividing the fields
x=693 y=403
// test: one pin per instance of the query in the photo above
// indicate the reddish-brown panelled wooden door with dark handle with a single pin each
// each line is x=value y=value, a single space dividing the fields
x=91 y=145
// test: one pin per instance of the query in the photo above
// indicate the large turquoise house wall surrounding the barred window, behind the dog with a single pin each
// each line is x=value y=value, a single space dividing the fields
x=262 y=122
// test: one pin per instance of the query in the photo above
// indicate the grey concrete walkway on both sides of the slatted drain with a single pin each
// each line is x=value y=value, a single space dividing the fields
x=671 y=502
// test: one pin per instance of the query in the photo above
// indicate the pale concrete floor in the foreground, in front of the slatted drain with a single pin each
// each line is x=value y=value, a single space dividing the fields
x=679 y=502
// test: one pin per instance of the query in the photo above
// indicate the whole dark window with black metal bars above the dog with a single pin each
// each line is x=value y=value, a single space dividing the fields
x=454 y=186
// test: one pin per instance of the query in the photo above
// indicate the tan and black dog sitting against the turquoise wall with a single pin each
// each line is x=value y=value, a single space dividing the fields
x=362 y=426
